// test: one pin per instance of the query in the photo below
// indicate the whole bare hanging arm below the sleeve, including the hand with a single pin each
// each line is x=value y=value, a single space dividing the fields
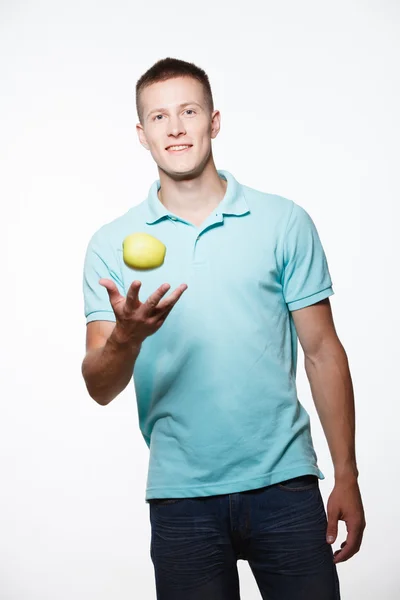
x=328 y=372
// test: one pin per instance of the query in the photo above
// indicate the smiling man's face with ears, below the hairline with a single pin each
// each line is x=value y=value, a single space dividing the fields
x=177 y=126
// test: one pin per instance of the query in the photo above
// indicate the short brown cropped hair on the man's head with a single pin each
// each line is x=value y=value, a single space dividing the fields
x=169 y=68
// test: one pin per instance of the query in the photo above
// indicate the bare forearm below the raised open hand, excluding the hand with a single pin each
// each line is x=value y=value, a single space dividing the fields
x=108 y=370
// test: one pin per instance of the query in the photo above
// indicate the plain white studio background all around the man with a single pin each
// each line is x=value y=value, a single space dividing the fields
x=309 y=95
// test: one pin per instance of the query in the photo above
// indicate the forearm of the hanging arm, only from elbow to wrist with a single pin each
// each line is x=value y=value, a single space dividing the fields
x=332 y=391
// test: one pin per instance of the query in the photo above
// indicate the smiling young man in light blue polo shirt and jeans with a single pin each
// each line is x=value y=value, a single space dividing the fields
x=232 y=472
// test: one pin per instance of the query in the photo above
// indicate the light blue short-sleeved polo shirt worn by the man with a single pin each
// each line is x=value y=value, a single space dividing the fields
x=216 y=384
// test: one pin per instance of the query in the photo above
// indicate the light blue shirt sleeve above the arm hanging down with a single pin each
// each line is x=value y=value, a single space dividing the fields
x=305 y=278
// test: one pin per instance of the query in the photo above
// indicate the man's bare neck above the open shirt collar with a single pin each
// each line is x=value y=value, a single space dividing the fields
x=193 y=199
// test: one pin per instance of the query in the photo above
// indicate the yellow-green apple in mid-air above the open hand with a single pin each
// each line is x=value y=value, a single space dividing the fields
x=143 y=251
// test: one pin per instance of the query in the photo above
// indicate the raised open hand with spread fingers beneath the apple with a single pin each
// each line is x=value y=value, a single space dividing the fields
x=135 y=320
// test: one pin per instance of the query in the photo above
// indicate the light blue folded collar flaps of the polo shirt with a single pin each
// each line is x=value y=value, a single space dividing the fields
x=233 y=202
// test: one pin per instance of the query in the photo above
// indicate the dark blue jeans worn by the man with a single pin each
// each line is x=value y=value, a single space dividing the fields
x=279 y=529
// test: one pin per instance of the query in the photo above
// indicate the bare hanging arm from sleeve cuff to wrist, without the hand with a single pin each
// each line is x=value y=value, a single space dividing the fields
x=328 y=372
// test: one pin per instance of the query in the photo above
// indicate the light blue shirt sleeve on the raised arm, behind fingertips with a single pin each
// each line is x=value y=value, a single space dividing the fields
x=100 y=262
